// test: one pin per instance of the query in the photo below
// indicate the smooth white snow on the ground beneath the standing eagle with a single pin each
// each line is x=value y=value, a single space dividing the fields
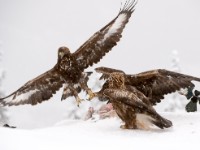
x=105 y=134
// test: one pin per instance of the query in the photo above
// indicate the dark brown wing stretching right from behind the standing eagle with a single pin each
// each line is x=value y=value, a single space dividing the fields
x=156 y=83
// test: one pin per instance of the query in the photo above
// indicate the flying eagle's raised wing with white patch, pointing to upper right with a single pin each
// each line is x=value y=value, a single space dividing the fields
x=105 y=39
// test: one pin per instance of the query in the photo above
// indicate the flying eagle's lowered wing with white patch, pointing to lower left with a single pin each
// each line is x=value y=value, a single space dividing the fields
x=35 y=91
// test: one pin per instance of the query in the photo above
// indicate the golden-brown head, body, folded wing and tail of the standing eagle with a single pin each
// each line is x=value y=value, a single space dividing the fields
x=131 y=105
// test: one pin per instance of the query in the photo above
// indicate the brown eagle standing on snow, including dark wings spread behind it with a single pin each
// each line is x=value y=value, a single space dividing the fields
x=134 y=95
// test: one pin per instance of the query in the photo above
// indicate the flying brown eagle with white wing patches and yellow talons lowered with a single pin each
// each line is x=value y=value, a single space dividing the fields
x=69 y=69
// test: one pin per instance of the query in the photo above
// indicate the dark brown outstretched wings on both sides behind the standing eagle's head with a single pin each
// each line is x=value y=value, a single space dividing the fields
x=153 y=84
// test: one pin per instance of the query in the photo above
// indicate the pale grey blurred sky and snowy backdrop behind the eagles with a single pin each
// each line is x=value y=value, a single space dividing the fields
x=160 y=34
